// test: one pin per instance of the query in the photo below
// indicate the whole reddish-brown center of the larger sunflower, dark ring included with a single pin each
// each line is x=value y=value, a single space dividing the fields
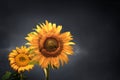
x=52 y=47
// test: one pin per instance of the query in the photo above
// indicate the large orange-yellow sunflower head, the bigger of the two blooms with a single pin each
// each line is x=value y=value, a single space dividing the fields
x=51 y=46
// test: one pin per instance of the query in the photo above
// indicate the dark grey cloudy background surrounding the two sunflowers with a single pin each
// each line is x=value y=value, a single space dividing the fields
x=94 y=25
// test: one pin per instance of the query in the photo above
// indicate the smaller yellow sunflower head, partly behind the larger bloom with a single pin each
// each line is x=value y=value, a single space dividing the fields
x=19 y=59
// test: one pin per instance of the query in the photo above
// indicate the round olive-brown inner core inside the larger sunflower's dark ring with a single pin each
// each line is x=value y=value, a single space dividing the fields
x=51 y=44
